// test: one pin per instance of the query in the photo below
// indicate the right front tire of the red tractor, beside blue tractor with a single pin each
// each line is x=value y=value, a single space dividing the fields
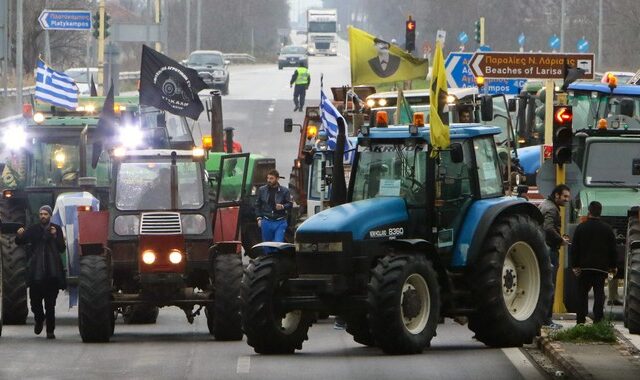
x=223 y=316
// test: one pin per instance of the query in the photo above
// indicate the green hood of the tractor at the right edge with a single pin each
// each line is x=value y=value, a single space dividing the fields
x=615 y=202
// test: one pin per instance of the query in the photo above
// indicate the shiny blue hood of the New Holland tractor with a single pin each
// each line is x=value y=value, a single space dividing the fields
x=361 y=218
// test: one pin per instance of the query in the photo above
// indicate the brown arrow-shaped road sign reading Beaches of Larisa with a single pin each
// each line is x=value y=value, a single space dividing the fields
x=529 y=65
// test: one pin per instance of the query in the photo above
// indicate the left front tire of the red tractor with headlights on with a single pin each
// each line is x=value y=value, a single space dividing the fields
x=95 y=313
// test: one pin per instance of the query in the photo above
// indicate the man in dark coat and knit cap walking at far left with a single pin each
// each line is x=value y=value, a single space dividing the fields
x=46 y=274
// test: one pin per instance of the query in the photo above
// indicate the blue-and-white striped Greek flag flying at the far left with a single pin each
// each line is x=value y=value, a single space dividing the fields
x=55 y=88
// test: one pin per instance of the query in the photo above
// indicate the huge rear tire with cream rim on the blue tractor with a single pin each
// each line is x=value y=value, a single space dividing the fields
x=511 y=283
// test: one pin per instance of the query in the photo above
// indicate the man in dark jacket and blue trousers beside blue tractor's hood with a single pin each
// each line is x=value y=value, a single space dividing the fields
x=271 y=208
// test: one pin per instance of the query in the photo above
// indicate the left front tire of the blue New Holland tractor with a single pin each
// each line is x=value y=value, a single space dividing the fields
x=270 y=330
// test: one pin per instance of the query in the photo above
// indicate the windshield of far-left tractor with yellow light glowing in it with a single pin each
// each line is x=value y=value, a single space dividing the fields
x=54 y=164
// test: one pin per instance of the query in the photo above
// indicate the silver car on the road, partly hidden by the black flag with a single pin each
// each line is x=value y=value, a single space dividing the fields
x=212 y=67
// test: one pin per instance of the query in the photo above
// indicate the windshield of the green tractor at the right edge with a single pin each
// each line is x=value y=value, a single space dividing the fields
x=600 y=170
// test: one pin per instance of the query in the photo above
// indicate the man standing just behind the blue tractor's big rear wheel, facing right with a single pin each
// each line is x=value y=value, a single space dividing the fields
x=550 y=209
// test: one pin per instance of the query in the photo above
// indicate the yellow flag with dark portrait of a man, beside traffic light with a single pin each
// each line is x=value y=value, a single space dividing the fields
x=377 y=61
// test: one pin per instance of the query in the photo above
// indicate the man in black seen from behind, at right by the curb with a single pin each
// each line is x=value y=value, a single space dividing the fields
x=593 y=254
